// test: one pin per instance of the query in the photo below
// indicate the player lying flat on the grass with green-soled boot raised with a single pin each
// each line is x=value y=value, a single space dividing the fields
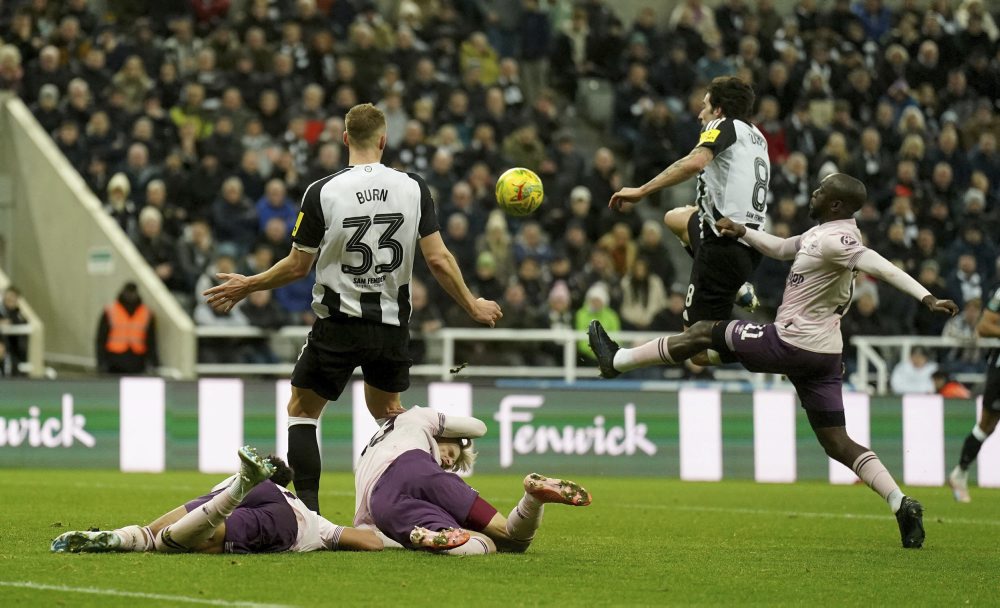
x=250 y=512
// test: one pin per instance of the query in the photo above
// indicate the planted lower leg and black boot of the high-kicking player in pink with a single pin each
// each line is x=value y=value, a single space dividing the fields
x=867 y=466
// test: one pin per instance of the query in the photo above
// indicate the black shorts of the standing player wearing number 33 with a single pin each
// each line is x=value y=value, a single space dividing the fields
x=335 y=348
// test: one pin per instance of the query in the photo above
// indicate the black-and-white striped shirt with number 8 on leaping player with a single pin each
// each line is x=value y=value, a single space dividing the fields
x=735 y=183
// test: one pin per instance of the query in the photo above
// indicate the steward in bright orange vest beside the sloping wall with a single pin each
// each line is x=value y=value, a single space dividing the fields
x=126 y=336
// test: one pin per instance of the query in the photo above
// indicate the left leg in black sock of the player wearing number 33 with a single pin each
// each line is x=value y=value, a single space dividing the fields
x=304 y=410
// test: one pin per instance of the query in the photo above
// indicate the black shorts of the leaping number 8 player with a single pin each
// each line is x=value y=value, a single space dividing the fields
x=721 y=266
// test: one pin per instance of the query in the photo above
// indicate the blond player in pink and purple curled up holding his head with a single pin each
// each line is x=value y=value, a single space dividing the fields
x=403 y=484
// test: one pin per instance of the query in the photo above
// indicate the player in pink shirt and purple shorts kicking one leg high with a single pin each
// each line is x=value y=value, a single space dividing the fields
x=804 y=342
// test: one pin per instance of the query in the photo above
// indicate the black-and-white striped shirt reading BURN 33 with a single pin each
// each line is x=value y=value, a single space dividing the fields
x=364 y=223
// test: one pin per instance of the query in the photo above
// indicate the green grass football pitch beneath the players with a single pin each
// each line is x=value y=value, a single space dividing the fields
x=642 y=542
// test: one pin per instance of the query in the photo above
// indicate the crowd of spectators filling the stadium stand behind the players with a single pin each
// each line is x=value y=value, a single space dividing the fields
x=199 y=124
